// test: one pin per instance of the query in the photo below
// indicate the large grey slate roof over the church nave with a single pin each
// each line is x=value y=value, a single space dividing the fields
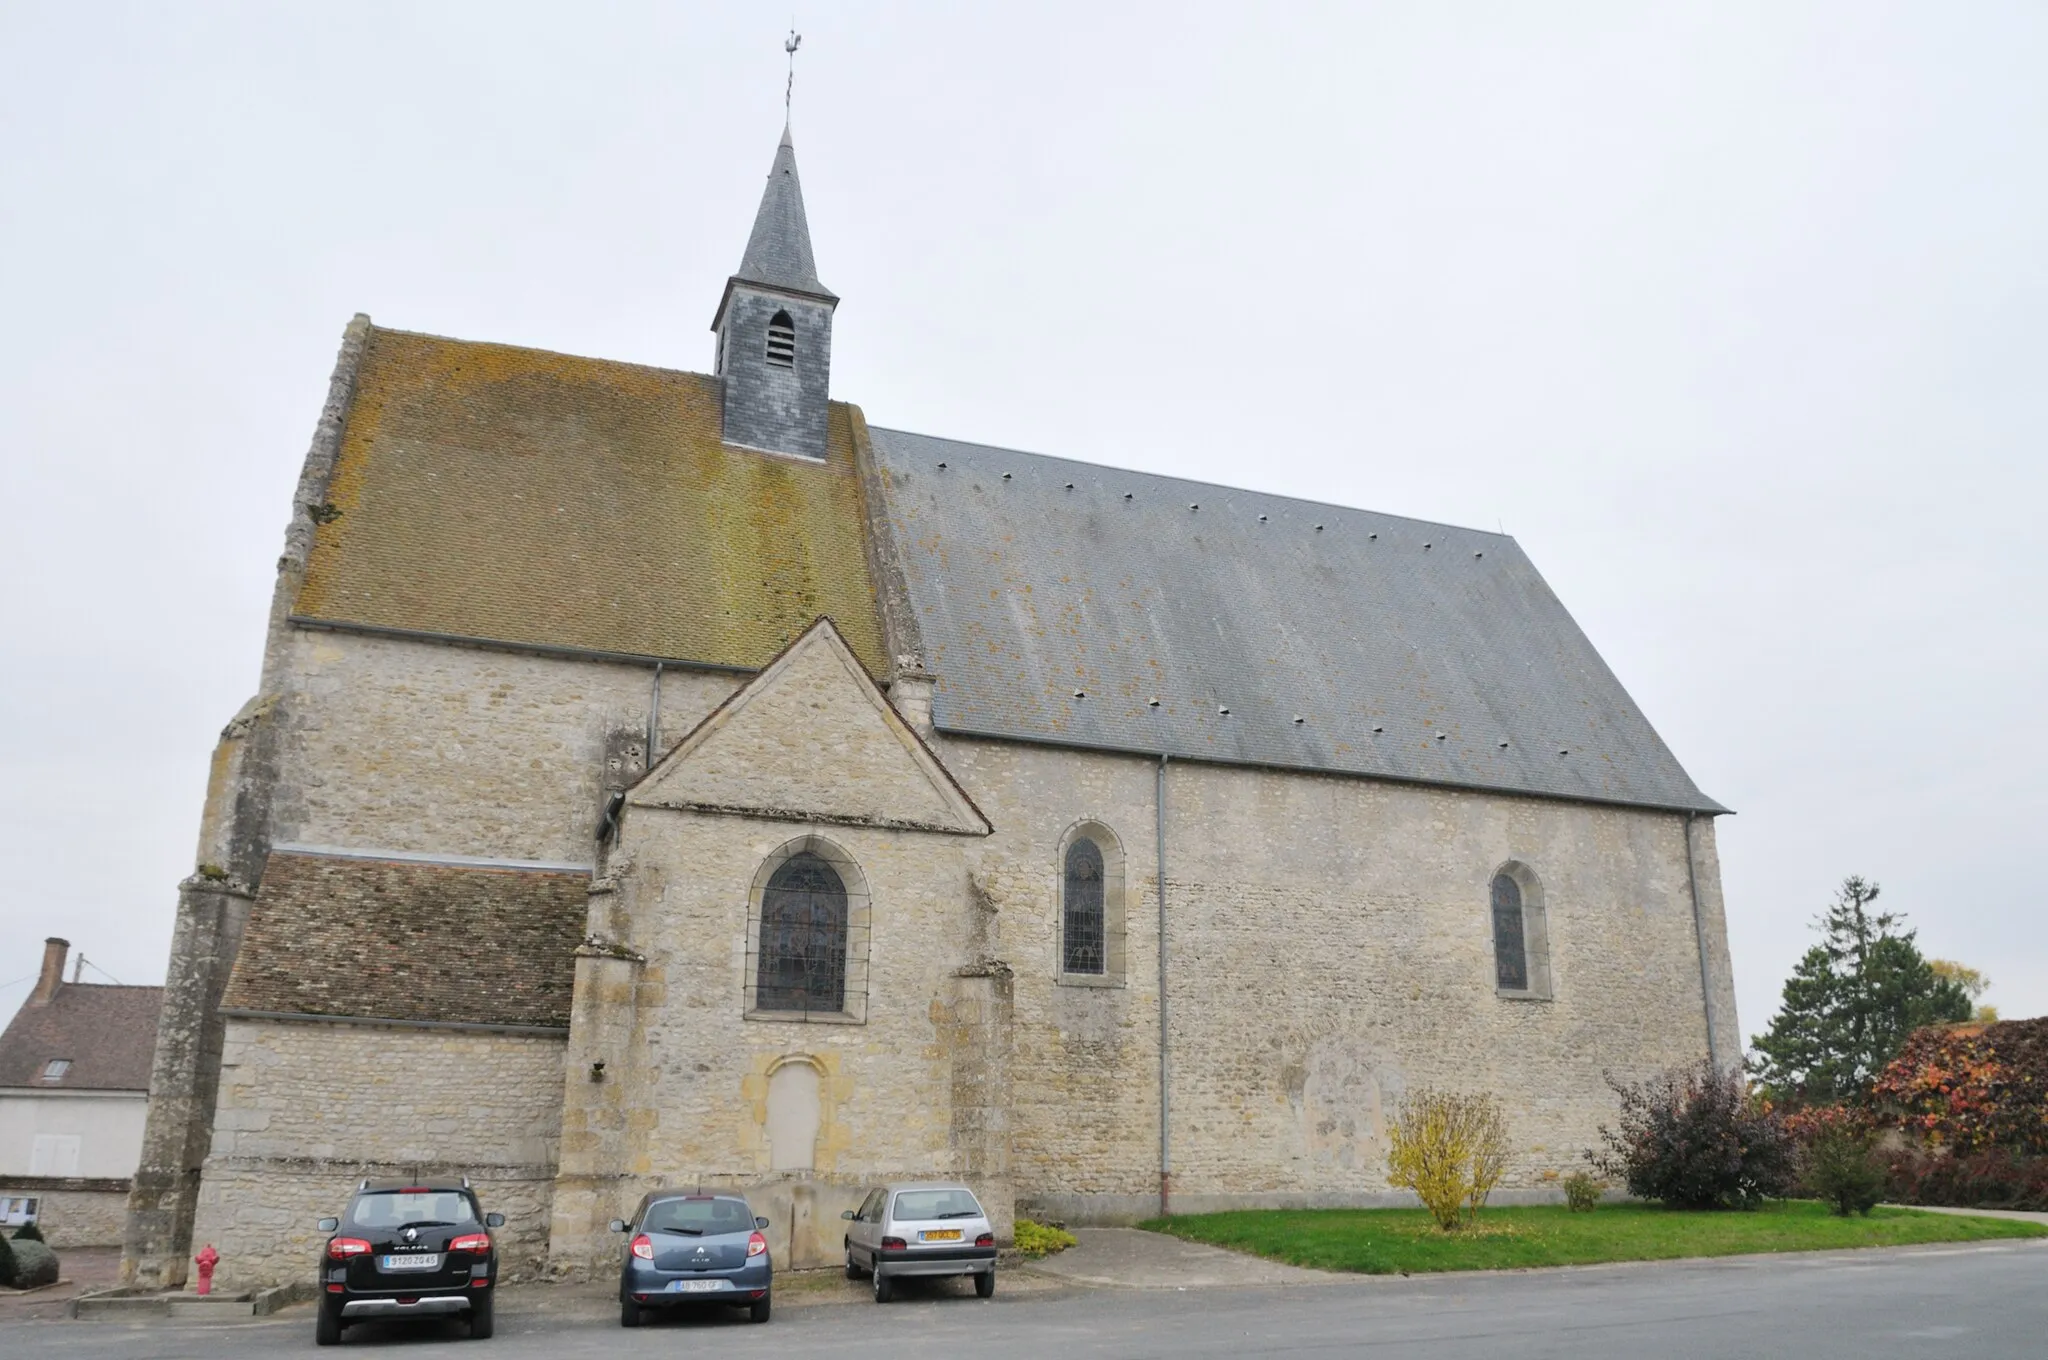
x=1408 y=650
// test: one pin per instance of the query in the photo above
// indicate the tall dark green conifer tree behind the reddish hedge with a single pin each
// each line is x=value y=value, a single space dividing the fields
x=1850 y=1005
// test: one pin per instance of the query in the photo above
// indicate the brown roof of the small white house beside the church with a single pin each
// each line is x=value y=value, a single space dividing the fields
x=110 y=1033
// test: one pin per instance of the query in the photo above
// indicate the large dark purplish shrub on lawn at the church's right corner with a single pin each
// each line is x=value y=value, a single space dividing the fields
x=1695 y=1140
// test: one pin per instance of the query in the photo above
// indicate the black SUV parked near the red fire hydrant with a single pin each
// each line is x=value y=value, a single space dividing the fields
x=409 y=1250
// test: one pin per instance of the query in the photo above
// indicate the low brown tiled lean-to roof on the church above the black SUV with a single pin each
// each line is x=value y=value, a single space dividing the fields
x=407 y=941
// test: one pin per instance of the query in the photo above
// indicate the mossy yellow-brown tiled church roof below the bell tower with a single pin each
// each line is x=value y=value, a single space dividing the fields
x=525 y=497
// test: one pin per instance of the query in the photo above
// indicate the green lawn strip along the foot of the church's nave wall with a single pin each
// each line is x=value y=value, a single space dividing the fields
x=1404 y=1240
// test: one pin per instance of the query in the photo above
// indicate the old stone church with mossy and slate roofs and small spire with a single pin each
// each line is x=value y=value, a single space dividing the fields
x=671 y=779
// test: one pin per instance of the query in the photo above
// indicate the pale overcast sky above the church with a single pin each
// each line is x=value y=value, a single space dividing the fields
x=1732 y=314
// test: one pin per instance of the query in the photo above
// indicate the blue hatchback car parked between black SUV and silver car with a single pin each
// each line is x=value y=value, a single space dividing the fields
x=693 y=1250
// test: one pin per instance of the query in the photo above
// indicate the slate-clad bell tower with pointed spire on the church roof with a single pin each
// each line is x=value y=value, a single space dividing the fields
x=775 y=329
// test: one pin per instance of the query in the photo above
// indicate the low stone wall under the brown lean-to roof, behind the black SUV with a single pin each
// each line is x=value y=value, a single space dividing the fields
x=308 y=1109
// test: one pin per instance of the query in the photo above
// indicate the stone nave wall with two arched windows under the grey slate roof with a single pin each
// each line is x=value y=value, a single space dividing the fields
x=1330 y=947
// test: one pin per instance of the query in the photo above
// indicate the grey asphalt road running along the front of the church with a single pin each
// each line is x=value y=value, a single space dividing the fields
x=1967 y=1302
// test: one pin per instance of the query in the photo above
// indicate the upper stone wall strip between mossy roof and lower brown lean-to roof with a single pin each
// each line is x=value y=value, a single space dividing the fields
x=396 y=745
